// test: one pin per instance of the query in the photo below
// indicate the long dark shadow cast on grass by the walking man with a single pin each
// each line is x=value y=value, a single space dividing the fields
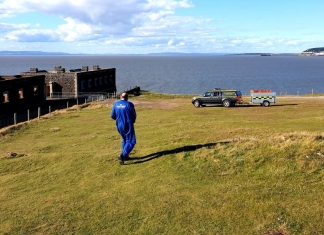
x=186 y=148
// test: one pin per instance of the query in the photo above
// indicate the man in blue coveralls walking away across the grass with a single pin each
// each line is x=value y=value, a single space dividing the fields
x=124 y=113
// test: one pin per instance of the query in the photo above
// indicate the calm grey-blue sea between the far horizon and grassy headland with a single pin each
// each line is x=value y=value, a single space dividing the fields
x=192 y=74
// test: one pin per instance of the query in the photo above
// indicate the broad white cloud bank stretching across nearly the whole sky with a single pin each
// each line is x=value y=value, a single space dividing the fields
x=133 y=25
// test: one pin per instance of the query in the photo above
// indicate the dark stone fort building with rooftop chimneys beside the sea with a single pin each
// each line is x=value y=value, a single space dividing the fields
x=34 y=88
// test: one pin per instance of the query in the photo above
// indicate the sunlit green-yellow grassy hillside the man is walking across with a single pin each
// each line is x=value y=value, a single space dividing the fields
x=212 y=170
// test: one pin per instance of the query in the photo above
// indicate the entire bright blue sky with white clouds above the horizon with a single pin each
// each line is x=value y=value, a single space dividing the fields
x=154 y=26
